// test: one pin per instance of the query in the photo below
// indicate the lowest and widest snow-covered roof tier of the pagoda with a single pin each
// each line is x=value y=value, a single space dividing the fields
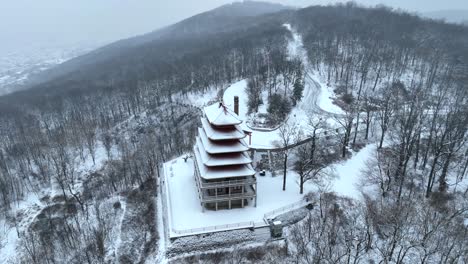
x=213 y=173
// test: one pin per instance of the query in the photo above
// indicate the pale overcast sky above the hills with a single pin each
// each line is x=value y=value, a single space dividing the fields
x=23 y=22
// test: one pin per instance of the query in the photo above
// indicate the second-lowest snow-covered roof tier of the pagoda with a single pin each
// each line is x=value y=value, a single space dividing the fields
x=209 y=160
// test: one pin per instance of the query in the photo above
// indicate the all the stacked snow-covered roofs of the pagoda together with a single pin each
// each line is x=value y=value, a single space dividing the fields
x=220 y=150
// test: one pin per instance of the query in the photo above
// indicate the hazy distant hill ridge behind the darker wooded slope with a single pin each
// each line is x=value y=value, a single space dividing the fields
x=154 y=45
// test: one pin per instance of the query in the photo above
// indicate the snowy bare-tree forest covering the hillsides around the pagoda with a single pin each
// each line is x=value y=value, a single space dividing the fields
x=369 y=97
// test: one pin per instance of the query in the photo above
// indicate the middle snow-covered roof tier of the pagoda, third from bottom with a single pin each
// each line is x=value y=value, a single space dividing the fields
x=214 y=147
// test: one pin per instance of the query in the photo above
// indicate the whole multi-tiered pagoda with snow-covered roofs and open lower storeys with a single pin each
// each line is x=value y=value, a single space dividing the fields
x=224 y=174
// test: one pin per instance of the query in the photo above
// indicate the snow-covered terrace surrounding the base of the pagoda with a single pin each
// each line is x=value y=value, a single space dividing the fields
x=186 y=211
